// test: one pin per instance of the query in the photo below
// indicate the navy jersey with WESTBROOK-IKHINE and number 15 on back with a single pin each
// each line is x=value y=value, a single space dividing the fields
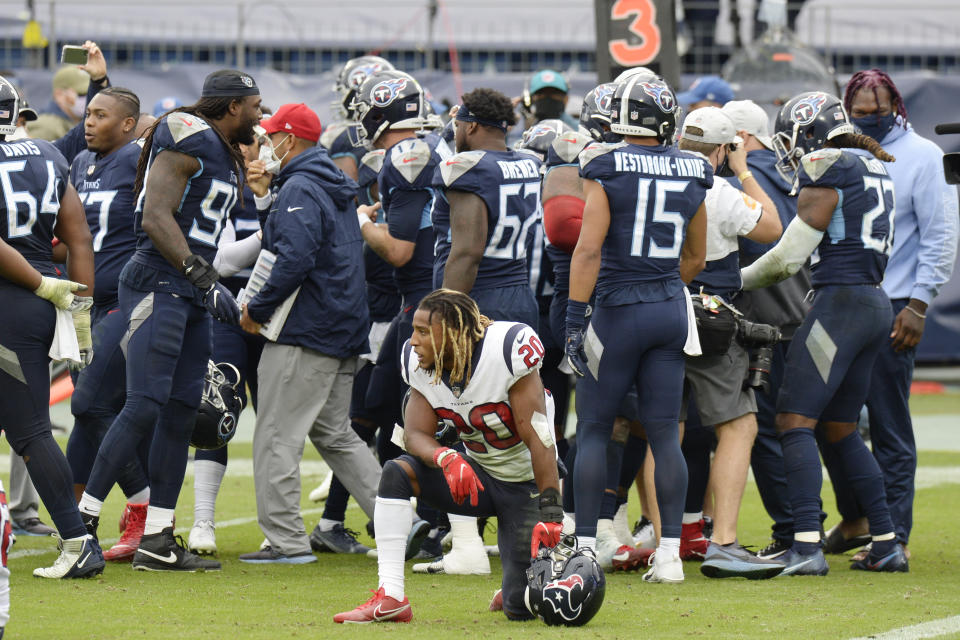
x=653 y=192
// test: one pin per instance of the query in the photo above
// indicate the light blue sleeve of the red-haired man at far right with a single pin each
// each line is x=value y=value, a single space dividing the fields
x=935 y=204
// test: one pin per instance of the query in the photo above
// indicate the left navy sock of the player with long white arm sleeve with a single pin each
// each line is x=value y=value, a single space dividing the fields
x=801 y=462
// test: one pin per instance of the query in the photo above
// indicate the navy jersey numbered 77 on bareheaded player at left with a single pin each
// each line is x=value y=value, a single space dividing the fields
x=105 y=186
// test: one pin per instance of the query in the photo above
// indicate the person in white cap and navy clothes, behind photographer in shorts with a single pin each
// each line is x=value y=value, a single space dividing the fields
x=781 y=305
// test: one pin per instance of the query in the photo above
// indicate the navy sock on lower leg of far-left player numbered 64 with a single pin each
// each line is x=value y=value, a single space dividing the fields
x=51 y=476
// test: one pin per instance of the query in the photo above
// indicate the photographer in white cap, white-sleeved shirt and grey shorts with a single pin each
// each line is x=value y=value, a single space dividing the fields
x=716 y=378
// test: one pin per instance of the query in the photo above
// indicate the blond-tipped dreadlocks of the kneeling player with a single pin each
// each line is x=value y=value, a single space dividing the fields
x=461 y=325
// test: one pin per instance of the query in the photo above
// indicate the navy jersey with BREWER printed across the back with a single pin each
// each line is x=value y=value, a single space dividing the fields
x=508 y=182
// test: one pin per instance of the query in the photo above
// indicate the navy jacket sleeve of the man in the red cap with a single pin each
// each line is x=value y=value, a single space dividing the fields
x=297 y=239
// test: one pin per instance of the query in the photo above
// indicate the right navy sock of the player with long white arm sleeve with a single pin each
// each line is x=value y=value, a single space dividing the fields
x=866 y=480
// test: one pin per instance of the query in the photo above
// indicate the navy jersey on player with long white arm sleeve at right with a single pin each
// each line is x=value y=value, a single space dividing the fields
x=856 y=246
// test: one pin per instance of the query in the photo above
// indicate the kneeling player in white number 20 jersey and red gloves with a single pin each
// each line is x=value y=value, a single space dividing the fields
x=481 y=377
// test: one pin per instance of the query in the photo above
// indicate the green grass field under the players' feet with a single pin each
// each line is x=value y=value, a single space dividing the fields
x=251 y=601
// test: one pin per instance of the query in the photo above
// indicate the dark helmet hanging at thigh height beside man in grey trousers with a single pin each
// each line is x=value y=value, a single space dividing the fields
x=220 y=407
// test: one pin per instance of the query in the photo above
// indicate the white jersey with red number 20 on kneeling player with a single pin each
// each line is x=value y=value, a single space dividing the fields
x=480 y=411
